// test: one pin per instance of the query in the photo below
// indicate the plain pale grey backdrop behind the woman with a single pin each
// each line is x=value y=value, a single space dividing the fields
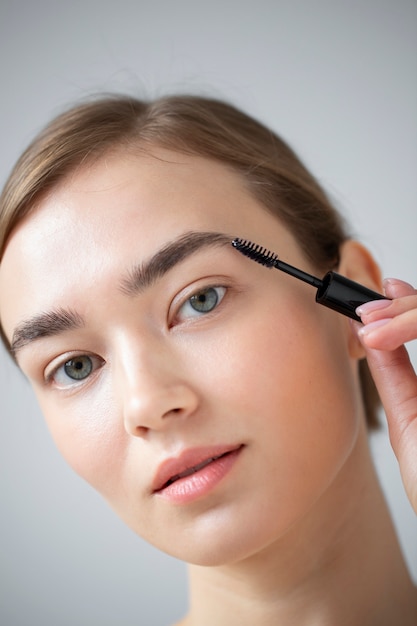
x=338 y=80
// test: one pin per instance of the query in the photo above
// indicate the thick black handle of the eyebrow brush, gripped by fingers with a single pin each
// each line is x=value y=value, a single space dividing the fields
x=343 y=295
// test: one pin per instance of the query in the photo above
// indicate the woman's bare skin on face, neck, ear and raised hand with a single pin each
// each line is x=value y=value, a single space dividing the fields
x=266 y=369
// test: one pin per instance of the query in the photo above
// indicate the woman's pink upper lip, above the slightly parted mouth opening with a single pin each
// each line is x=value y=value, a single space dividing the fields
x=188 y=463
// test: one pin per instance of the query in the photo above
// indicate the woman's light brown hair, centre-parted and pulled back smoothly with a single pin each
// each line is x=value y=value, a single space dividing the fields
x=192 y=125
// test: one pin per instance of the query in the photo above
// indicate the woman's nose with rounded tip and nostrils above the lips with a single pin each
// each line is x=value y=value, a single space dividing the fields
x=153 y=391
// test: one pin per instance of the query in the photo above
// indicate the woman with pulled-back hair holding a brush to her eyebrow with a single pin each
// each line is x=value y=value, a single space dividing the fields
x=219 y=410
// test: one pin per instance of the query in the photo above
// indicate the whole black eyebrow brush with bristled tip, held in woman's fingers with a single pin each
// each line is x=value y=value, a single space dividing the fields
x=333 y=290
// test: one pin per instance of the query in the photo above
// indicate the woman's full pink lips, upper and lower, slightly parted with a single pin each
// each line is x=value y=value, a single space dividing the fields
x=194 y=473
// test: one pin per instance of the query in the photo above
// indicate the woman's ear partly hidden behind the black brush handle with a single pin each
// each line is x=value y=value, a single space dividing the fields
x=358 y=264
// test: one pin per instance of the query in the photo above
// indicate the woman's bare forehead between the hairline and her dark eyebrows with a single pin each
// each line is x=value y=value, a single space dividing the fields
x=117 y=212
